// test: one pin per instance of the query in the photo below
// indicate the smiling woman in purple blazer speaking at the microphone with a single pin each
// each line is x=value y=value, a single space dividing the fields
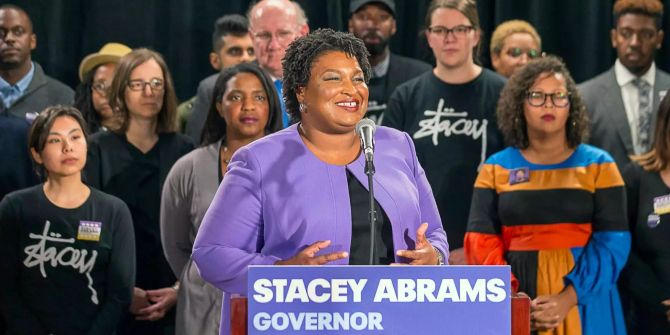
x=299 y=196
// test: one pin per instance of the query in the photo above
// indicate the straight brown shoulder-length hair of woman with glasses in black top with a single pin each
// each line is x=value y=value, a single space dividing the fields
x=167 y=117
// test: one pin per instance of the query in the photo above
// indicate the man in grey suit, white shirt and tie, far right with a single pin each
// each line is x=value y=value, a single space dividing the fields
x=622 y=102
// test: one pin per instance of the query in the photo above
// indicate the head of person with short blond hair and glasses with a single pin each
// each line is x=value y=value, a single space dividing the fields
x=513 y=44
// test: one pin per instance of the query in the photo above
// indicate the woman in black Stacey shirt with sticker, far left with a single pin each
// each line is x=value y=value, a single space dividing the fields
x=66 y=250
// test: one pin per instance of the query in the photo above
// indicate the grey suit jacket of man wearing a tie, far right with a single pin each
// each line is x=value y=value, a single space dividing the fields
x=610 y=129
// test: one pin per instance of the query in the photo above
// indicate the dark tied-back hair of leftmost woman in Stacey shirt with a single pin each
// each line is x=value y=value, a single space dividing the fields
x=39 y=130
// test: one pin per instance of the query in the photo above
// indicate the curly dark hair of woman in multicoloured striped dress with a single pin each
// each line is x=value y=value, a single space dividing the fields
x=510 y=109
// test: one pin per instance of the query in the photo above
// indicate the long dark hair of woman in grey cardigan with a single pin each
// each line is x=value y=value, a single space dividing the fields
x=215 y=126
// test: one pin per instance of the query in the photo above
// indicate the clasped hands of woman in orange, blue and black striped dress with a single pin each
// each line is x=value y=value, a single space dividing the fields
x=548 y=311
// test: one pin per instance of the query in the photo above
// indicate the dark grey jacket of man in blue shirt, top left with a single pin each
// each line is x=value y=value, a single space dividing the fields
x=43 y=91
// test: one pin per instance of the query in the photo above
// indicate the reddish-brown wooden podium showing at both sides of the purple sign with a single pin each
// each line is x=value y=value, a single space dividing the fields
x=520 y=316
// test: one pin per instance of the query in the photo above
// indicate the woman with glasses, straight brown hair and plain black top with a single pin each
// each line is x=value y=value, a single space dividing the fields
x=132 y=164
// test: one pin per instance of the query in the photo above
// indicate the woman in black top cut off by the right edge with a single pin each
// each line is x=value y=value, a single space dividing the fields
x=645 y=282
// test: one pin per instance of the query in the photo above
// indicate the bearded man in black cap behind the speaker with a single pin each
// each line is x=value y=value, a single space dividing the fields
x=373 y=21
